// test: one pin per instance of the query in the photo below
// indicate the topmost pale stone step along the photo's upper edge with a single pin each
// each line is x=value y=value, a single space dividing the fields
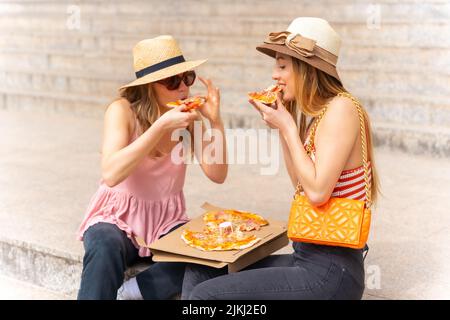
x=337 y=11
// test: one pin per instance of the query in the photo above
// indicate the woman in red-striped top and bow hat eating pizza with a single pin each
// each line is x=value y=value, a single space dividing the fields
x=306 y=56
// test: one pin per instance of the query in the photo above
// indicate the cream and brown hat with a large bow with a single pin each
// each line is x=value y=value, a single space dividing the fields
x=311 y=40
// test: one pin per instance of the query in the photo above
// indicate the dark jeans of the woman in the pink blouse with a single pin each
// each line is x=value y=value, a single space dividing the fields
x=108 y=253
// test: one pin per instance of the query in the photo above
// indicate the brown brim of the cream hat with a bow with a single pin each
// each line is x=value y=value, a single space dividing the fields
x=271 y=50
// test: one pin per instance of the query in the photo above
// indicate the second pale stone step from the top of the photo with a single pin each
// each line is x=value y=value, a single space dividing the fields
x=412 y=35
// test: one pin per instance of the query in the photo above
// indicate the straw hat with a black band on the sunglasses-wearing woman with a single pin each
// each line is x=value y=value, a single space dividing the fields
x=159 y=58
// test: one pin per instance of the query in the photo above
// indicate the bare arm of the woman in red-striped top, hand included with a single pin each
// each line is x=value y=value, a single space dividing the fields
x=336 y=136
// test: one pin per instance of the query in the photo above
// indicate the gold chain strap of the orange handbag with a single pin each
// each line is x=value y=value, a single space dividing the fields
x=362 y=125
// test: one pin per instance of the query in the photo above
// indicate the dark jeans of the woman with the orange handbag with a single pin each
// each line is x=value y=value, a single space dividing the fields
x=311 y=272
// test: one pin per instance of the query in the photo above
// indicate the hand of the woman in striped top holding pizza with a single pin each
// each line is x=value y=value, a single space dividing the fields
x=278 y=118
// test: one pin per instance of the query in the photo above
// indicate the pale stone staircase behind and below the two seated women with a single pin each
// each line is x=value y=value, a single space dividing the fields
x=399 y=67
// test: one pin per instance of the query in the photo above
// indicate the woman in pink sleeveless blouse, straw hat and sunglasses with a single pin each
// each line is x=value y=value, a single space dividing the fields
x=141 y=191
